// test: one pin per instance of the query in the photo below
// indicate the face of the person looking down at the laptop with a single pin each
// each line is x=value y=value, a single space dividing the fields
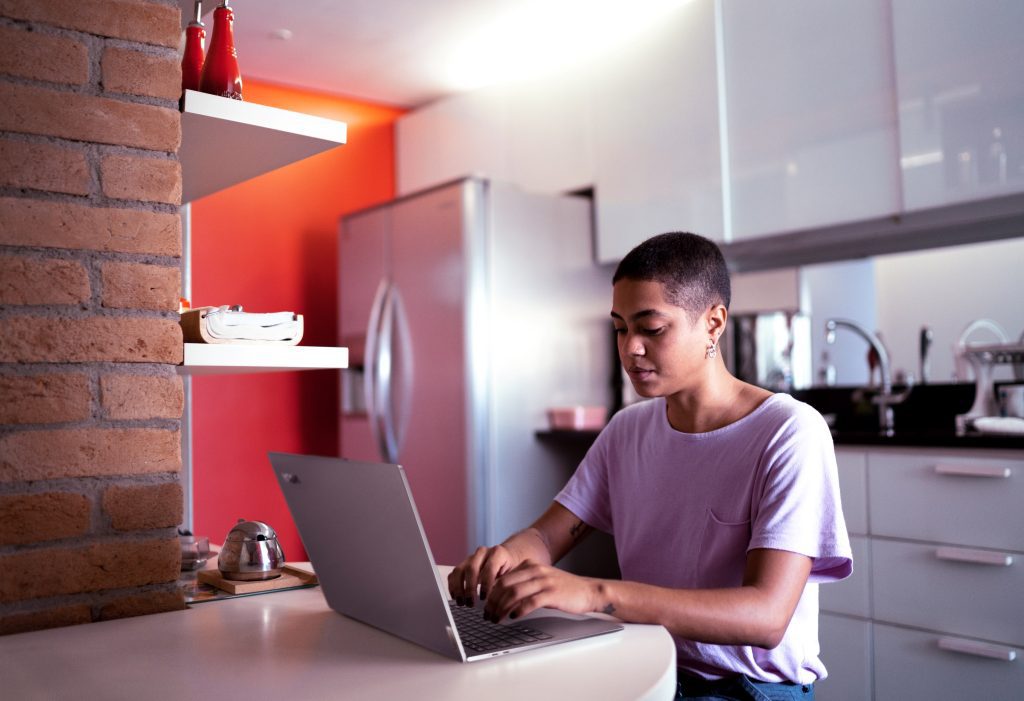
x=662 y=349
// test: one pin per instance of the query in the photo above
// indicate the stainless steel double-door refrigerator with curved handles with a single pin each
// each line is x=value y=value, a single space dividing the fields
x=470 y=310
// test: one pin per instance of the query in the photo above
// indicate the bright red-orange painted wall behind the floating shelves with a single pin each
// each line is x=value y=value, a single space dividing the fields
x=271 y=245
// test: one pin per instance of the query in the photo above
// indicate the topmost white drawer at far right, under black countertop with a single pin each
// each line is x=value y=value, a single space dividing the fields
x=967 y=499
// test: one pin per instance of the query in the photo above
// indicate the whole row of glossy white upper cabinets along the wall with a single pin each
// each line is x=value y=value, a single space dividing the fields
x=742 y=120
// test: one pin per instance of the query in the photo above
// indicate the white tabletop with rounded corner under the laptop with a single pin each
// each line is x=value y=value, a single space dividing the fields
x=289 y=645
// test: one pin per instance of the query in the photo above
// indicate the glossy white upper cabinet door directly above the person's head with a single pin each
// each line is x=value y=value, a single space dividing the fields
x=657 y=138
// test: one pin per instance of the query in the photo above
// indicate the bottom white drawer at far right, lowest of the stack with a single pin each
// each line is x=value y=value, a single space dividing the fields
x=911 y=666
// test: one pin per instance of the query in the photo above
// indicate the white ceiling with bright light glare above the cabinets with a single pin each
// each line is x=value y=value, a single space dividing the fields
x=410 y=53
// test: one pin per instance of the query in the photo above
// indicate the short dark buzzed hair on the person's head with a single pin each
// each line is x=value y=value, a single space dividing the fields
x=692 y=269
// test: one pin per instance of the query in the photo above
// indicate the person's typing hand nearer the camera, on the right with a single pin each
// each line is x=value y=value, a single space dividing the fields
x=531 y=586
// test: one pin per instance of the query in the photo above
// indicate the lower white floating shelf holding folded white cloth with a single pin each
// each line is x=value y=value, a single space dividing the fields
x=203 y=359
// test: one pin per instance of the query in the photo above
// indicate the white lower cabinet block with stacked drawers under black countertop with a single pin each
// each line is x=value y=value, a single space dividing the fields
x=941 y=580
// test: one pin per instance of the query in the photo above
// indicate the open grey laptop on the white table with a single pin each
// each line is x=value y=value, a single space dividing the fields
x=361 y=529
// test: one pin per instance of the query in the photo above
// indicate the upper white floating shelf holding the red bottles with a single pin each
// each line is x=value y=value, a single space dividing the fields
x=226 y=142
